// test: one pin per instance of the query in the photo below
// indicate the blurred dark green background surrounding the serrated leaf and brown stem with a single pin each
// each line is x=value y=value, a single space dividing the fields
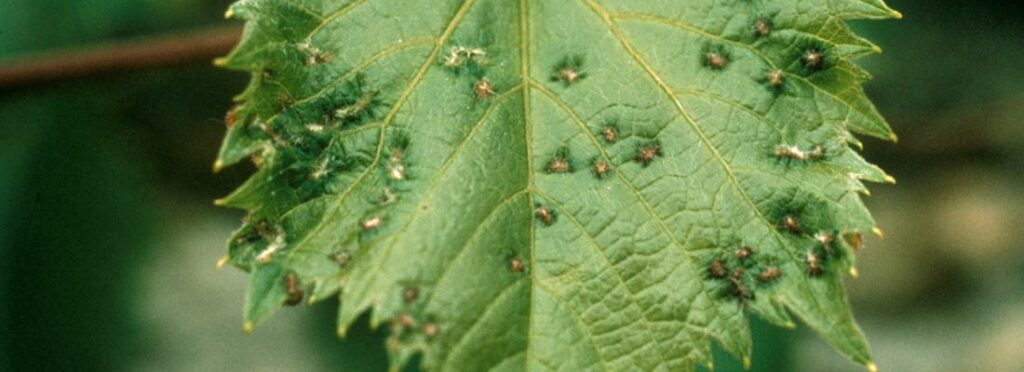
x=109 y=238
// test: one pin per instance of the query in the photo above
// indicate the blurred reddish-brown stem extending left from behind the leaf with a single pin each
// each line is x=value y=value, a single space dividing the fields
x=115 y=58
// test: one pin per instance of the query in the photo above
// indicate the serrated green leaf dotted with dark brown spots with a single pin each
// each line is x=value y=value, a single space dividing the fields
x=556 y=185
